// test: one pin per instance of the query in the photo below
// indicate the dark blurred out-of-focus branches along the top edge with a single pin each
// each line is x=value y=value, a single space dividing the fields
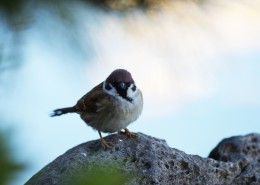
x=18 y=14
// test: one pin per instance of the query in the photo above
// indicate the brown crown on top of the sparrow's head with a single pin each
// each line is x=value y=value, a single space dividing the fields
x=120 y=75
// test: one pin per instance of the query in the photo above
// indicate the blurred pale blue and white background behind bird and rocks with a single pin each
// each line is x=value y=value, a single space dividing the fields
x=197 y=63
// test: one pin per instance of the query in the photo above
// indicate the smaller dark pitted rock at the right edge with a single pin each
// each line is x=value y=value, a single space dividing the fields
x=244 y=150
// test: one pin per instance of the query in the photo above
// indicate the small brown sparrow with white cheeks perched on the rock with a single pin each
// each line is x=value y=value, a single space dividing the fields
x=110 y=106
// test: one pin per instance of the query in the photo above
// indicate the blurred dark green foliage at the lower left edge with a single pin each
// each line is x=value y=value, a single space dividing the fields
x=8 y=166
